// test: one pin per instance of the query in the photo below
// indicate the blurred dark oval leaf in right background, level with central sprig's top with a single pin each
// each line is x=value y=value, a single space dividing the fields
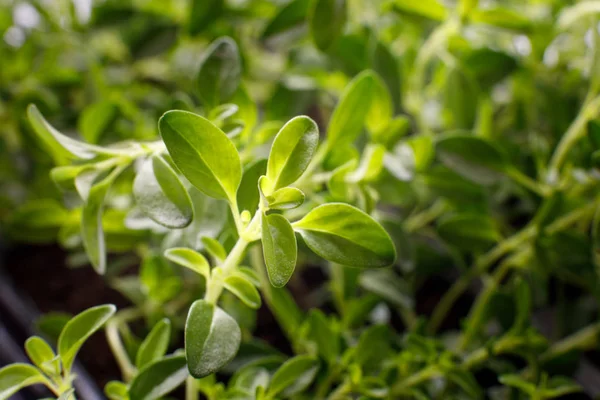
x=472 y=157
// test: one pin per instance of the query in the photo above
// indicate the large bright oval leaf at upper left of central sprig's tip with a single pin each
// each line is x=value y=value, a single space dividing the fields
x=202 y=152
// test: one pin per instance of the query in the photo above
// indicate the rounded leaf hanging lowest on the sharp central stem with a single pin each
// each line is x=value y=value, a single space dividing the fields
x=212 y=338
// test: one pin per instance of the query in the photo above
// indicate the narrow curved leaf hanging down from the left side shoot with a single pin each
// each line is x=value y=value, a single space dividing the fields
x=91 y=221
